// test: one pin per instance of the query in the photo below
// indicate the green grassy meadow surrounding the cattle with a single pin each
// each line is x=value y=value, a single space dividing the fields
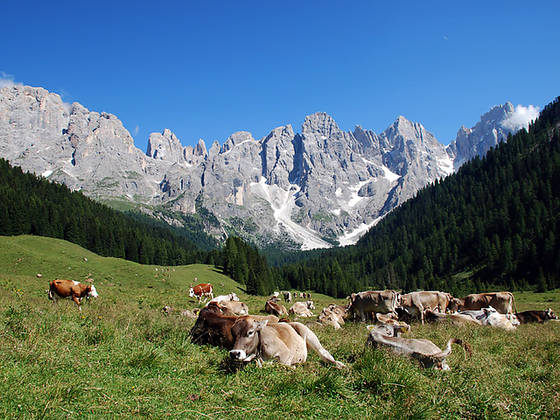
x=121 y=357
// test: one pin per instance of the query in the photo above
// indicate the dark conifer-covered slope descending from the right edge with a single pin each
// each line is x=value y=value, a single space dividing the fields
x=494 y=223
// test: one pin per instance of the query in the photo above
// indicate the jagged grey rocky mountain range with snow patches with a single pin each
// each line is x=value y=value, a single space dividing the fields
x=315 y=188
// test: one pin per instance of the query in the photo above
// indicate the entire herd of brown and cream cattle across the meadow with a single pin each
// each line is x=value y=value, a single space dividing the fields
x=225 y=321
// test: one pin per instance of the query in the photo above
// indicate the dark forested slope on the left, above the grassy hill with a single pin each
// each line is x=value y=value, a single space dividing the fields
x=32 y=205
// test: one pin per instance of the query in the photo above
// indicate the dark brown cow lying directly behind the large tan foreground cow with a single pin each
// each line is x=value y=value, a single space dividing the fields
x=214 y=328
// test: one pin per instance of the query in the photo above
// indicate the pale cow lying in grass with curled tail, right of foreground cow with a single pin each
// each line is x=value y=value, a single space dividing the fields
x=427 y=353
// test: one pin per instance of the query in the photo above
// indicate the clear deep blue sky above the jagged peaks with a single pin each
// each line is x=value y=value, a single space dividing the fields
x=208 y=69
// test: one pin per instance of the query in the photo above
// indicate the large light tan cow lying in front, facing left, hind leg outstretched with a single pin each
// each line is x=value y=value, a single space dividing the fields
x=288 y=343
